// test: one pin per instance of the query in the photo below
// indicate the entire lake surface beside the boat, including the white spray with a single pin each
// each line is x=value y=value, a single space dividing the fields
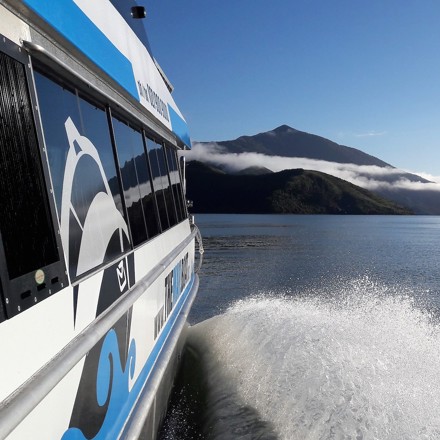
x=313 y=327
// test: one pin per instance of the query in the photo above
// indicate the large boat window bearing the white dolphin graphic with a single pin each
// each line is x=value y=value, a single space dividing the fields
x=83 y=171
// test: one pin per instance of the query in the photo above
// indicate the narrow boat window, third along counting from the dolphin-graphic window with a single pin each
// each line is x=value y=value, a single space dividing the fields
x=161 y=183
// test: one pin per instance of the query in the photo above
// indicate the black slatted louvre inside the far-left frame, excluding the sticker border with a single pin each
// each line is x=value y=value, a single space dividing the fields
x=25 y=220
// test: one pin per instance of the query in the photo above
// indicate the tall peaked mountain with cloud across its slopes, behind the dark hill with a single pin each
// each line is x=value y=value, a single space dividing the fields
x=363 y=169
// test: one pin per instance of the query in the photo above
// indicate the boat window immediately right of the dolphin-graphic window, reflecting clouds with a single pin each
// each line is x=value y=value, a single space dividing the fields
x=136 y=180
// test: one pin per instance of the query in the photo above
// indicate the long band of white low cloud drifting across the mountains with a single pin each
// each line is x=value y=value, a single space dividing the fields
x=366 y=176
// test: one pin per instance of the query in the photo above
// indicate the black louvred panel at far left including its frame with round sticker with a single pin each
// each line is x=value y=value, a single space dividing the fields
x=29 y=251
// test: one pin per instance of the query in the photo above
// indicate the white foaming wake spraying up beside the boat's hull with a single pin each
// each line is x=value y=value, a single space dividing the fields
x=362 y=363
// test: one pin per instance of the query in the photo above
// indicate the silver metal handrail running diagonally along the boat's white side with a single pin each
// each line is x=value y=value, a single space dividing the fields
x=15 y=408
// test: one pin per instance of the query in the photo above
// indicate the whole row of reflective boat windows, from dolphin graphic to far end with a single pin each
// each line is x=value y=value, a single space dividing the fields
x=85 y=172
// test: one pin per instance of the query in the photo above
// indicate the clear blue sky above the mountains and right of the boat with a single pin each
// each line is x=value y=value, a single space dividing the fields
x=362 y=73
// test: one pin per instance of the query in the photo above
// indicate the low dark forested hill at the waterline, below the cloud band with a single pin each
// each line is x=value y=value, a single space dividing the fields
x=290 y=191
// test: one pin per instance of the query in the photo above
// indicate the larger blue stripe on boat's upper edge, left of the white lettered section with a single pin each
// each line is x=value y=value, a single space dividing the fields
x=68 y=19
